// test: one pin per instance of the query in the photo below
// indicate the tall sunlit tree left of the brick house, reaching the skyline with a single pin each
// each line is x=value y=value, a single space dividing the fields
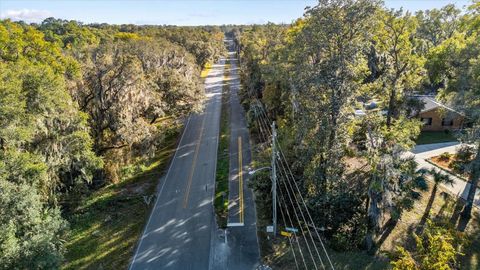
x=395 y=70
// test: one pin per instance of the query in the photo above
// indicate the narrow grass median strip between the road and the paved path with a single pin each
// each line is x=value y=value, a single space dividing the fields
x=223 y=159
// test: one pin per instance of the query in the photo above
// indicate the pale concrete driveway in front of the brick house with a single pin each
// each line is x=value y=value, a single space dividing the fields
x=425 y=151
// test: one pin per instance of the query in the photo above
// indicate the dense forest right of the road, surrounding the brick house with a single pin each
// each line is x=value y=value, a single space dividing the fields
x=312 y=75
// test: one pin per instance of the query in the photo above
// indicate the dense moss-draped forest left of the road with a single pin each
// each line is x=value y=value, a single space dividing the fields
x=77 y=103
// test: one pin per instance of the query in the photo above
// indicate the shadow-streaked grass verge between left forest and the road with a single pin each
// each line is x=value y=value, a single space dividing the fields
x=106 y=226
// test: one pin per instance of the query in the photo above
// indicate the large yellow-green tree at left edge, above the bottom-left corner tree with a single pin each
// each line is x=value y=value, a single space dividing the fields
x=37 y=113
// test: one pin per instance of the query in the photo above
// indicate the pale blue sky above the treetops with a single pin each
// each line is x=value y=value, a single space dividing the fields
x=180 y=12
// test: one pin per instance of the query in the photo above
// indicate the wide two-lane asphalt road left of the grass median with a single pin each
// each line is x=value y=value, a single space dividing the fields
x=181 y=228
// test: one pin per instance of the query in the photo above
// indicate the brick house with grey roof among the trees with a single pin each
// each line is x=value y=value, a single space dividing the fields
x=437 y=117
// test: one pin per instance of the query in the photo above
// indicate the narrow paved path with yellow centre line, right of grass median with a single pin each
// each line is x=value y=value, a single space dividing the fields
x=242 y=232
